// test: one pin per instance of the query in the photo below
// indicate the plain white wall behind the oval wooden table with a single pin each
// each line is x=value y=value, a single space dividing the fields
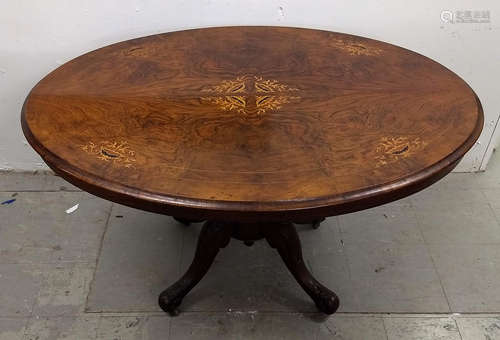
x=37 y=36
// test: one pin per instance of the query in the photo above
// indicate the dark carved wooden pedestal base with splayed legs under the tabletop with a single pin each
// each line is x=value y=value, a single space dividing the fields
x=216 y=235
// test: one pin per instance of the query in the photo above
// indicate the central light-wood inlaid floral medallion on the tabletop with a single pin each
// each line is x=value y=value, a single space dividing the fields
x=251 y=96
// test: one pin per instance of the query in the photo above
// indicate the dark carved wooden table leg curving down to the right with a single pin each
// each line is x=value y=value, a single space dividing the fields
x=284 y=238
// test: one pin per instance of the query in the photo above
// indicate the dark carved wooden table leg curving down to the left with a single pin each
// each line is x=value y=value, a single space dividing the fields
x=213 y=236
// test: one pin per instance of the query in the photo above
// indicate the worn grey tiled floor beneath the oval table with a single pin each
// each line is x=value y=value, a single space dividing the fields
x=425 y=267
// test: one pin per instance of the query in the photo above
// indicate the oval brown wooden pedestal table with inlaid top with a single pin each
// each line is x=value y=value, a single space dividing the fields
x=251 y=129
